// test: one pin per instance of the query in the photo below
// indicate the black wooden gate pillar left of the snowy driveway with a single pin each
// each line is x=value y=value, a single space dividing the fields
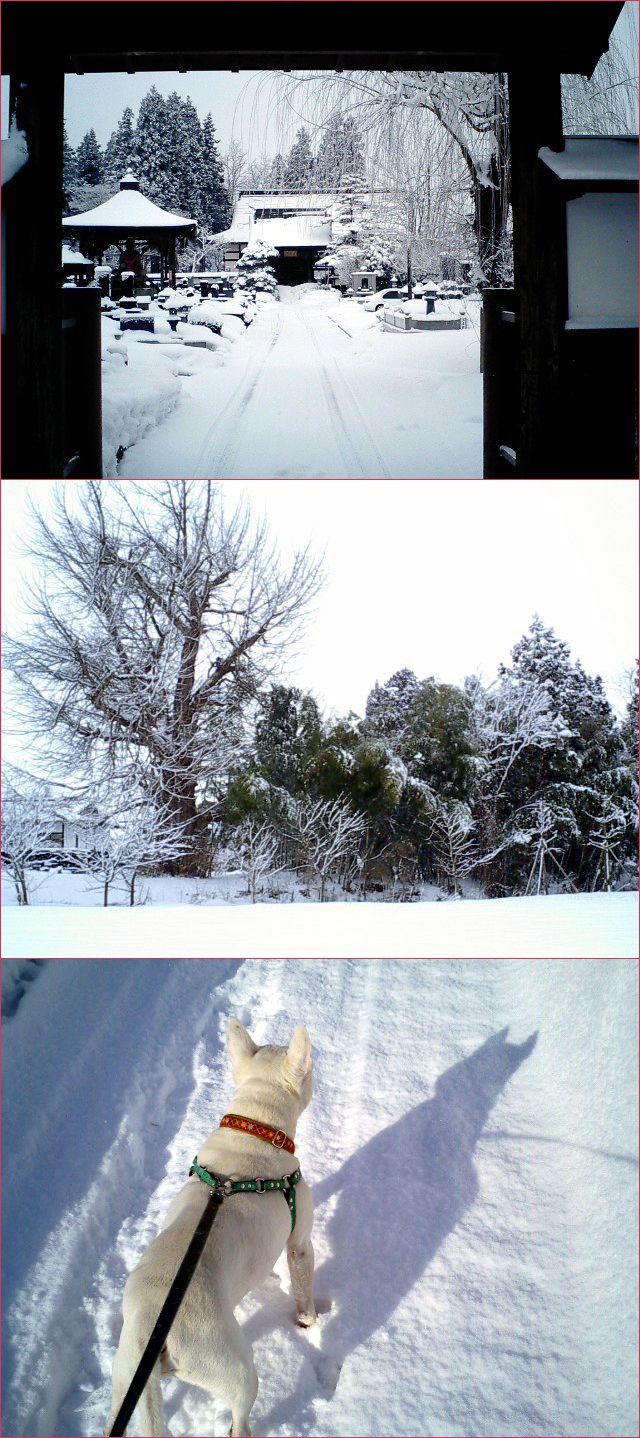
x=32 y=340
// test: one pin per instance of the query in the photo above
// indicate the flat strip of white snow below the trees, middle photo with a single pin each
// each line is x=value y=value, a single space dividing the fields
x=208 y=922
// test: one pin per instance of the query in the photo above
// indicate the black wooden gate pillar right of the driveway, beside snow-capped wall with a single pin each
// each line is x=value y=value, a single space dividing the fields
x=536 y=111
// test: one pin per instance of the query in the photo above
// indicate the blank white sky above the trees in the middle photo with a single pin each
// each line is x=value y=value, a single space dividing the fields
x=439 y=576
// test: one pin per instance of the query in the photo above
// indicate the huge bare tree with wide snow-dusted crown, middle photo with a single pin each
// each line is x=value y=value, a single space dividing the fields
x=157 y=619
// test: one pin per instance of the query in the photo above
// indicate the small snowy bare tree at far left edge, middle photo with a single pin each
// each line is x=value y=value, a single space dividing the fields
x=27 y=833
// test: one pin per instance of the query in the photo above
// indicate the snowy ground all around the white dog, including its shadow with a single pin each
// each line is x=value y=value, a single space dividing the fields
x=477 y=1190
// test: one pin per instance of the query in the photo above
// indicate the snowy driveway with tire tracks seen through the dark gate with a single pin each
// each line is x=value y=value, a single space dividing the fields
x=314 y=389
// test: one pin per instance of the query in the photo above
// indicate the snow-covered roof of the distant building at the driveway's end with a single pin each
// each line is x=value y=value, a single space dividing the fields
x=270 y=218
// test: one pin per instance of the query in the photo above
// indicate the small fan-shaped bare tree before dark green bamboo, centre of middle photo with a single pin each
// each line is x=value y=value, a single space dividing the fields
x=326 y=833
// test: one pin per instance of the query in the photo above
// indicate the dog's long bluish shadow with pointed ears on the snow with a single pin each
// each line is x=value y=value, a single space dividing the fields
x=399 y=1197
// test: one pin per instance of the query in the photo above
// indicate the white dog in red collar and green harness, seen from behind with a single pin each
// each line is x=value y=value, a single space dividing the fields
x=206 y=1345
